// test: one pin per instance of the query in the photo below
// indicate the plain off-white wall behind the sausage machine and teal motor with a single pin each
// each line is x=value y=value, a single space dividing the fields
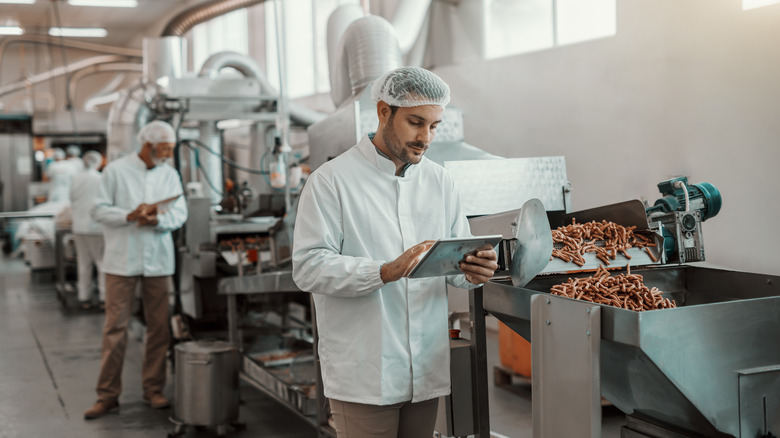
x=685 y=88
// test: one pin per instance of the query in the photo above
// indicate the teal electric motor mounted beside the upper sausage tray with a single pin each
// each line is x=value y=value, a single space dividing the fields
x=702 y=197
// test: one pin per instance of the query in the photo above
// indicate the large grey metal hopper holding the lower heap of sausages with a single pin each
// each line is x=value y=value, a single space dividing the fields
x=710 y=367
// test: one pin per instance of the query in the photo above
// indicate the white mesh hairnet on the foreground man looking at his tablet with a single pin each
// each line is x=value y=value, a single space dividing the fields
x=410 y=86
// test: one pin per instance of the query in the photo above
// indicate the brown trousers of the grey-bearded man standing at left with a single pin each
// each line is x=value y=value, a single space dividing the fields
x=120 y=292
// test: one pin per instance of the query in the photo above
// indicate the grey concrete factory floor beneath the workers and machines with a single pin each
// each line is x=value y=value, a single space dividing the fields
x=49 y=359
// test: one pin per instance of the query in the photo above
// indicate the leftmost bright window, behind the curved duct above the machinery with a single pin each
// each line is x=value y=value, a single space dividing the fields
x=224 y=33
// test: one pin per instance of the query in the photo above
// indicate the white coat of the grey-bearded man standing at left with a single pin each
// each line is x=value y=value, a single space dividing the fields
x=131 y=249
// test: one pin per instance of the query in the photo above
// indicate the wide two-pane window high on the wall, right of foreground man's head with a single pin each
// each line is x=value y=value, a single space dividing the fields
x=518 y=26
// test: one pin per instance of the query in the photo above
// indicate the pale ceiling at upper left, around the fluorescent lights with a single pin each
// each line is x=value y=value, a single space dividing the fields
x=126 y=26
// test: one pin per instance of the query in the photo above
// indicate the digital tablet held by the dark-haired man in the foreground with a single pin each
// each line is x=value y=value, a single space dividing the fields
x=445 y=254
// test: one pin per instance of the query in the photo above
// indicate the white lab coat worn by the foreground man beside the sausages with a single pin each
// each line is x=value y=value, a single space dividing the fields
x=379 y=344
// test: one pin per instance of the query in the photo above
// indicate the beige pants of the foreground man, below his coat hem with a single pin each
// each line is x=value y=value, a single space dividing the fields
x=401 y=420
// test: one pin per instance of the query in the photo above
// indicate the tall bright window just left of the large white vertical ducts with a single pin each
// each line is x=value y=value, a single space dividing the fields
x=305 y=25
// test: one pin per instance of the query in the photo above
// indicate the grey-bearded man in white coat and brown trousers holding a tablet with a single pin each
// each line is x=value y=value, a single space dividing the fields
x=138 y=203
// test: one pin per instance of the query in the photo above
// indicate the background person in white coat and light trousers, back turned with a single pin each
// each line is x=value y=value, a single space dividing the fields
x=87 y=234
